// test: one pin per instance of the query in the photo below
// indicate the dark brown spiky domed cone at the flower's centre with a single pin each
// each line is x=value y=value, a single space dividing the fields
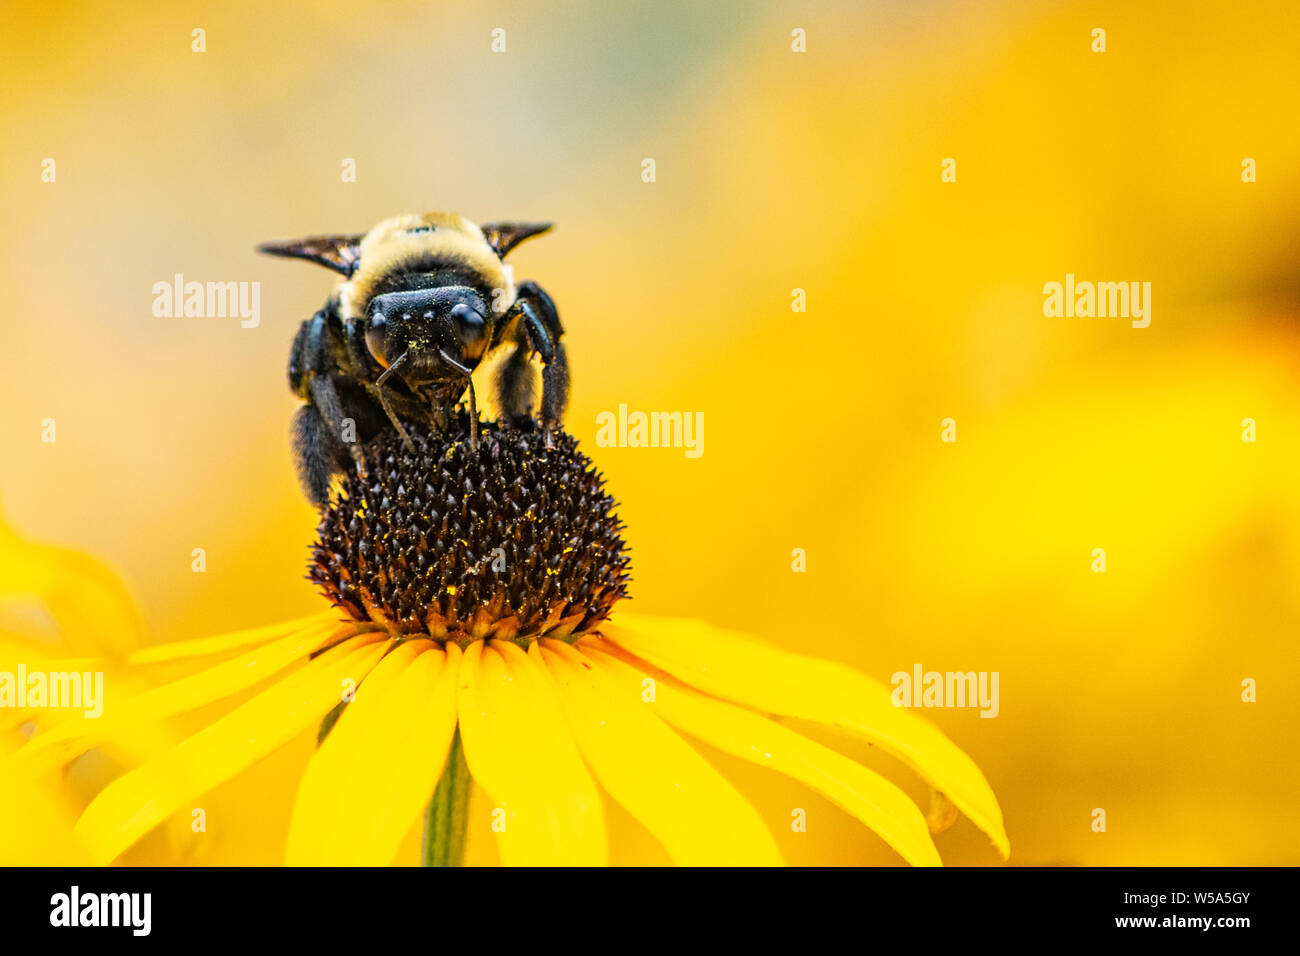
x=515 y=539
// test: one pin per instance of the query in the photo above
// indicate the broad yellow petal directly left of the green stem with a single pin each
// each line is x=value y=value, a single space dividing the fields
x=376 y=772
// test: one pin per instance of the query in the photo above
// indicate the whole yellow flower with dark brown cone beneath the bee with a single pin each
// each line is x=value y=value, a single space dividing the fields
x=480 y=644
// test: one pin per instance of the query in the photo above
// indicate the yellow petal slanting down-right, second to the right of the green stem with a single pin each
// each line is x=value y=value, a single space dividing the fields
x=699 y=817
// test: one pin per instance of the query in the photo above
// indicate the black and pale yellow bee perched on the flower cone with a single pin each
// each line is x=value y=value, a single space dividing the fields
x=424 y=299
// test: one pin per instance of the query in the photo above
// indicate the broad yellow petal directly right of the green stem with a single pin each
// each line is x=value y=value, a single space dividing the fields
x=521 y=752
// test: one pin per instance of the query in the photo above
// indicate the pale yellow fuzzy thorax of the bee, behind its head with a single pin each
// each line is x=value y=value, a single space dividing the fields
x=392 y=246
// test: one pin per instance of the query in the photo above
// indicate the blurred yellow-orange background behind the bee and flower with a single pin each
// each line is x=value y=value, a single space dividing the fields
x=775 y=171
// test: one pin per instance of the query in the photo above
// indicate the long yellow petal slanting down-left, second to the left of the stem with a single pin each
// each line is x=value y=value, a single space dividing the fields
x=140 y=801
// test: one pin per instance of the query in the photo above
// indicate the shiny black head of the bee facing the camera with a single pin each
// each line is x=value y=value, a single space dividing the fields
x=428 y=335
